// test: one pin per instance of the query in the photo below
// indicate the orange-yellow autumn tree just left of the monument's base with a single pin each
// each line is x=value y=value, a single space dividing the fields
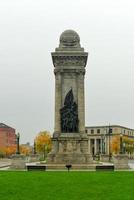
x=43 y=142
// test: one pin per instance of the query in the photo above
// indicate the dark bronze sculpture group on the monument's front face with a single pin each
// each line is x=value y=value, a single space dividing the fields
x=69 y=114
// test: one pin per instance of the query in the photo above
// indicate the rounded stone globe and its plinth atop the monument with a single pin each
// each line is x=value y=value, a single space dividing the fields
x=69 y=41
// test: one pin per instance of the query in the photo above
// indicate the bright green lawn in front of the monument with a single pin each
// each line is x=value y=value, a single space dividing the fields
x=66 y=186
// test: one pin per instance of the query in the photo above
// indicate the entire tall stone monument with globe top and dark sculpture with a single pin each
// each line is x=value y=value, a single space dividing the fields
x=70 y=142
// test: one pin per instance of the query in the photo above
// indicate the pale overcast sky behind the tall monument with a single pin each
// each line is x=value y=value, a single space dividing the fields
x=29 y=32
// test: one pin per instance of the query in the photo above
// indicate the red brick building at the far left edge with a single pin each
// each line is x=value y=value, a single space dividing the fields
x=7 y=135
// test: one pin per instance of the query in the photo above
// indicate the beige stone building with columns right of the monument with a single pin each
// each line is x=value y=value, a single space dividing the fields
x=110 y=139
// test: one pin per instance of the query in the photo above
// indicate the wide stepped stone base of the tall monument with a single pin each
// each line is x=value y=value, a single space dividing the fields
x=69 y=148
